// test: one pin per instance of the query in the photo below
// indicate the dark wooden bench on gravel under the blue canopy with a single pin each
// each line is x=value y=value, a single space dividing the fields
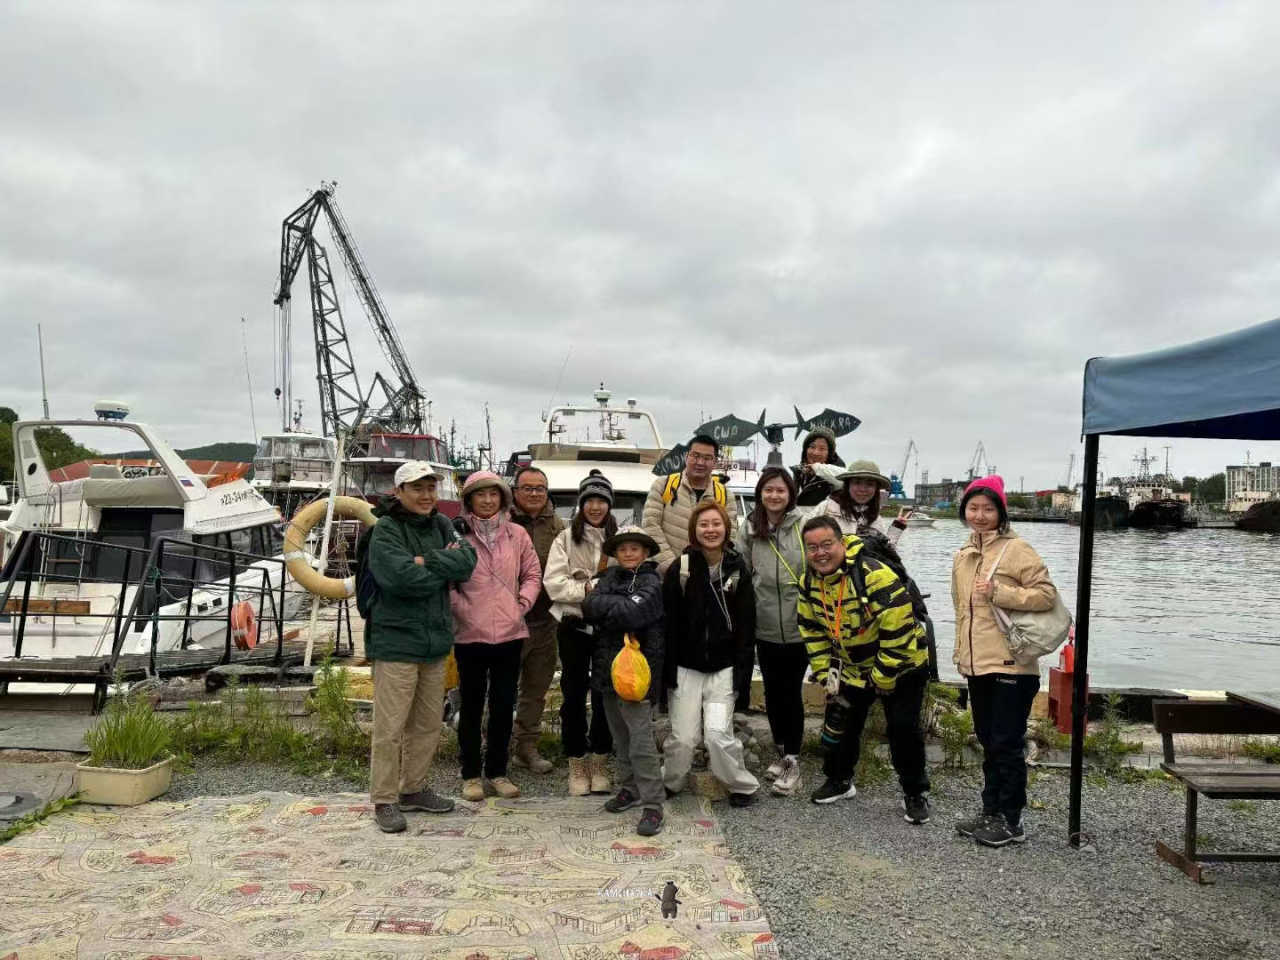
x=1226 y=781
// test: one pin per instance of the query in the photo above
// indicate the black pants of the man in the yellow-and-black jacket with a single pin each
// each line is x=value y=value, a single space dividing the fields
x=903 y=723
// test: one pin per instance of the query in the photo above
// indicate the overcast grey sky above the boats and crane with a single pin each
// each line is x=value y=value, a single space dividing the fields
x=926 y=216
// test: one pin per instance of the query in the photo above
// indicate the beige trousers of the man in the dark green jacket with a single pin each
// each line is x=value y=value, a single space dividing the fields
x=409 y=711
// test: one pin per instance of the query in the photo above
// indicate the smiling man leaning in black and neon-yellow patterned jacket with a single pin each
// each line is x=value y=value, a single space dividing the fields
x=865 y=643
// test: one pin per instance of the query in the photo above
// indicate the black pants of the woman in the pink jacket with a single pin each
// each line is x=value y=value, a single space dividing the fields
x=487 y=671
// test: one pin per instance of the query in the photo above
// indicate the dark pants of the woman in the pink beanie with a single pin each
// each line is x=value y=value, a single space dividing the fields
x=1002 y=705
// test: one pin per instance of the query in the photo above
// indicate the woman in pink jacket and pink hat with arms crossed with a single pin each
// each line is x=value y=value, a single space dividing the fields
x=490 y=630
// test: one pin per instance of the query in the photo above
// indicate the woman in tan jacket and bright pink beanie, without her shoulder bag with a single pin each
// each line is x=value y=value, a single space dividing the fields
x=996 y=569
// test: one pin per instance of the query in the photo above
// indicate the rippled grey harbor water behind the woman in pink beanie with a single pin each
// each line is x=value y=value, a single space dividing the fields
x=1192 y=610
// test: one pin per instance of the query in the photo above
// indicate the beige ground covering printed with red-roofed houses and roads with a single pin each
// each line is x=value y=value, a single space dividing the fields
x=313 y=879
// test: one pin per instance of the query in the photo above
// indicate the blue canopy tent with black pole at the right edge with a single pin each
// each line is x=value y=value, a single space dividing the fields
x=1226 y=387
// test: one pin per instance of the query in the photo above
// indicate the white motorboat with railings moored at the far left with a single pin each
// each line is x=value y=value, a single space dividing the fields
x=156 y=563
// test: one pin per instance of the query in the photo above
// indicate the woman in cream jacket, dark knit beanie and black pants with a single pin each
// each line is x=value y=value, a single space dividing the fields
x=577 y=556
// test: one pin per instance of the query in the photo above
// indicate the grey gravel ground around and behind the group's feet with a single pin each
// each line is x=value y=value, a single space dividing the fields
x=856 y=880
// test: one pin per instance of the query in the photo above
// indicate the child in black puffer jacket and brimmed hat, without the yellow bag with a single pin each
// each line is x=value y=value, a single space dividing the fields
x=628 y=600
